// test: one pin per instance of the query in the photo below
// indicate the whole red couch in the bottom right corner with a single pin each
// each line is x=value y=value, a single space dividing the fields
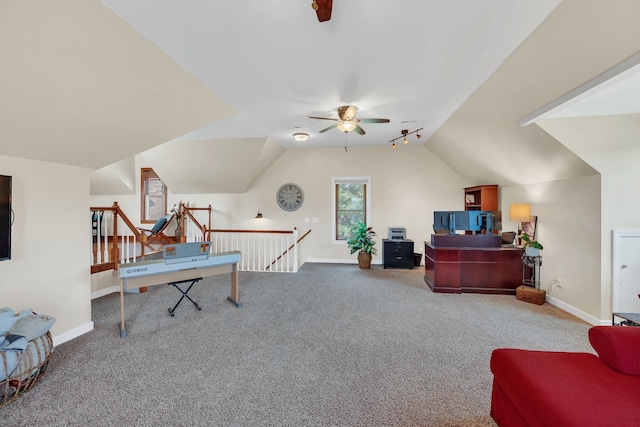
x=560 y=389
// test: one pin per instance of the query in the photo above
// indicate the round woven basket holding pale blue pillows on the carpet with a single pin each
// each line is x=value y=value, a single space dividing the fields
x=31 y=365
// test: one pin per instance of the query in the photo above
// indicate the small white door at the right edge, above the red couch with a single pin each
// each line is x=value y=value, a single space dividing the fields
x=626 y=271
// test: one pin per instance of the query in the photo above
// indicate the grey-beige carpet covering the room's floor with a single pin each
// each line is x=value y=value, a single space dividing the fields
x=332 y=345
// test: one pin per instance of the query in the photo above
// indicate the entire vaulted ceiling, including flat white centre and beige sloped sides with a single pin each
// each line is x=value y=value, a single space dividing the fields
x=91 y=83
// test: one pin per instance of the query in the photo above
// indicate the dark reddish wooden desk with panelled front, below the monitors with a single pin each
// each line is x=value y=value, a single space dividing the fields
x=473 y=269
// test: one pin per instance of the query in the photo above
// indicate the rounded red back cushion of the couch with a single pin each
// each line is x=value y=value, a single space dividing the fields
x=618 y=347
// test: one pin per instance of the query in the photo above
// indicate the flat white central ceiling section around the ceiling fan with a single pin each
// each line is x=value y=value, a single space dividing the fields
x=275 y=64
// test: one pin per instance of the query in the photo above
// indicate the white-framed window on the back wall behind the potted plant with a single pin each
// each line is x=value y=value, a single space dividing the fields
x=351 y=204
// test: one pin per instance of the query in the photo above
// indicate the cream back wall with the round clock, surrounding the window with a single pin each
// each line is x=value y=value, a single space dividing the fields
x=407 y=185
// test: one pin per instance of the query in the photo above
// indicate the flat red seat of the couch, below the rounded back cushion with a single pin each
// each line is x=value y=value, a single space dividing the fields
x=563 y=389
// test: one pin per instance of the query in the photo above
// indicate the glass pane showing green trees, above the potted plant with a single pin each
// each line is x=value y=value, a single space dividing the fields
x=351 y=207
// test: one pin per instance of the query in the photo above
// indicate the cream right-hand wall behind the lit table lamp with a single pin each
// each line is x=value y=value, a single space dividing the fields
x=568 y=227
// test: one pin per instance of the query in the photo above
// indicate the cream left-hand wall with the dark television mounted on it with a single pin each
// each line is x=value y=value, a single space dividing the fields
x=49 y=270
